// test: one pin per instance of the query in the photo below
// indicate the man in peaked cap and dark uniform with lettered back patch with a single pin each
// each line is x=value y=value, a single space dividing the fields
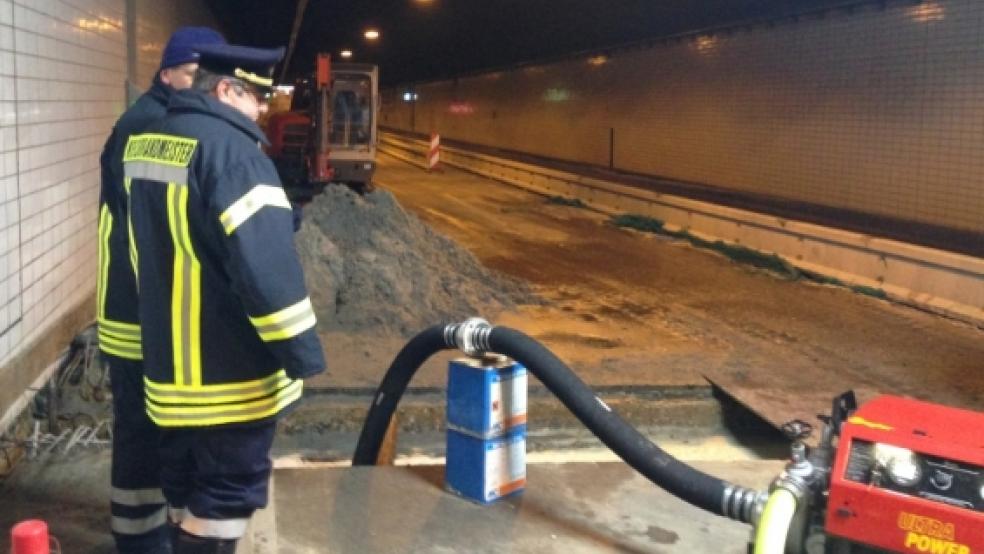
x=223 y=290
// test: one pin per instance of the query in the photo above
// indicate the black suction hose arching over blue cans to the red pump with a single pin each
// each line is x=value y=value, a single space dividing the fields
x=688 y=484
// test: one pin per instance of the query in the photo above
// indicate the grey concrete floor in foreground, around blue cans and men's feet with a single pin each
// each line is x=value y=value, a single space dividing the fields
x=571 y=508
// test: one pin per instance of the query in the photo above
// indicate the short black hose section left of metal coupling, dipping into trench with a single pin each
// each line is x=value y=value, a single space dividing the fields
x=404 y=366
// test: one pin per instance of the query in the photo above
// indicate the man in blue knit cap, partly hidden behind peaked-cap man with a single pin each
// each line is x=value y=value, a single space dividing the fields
x=137 y=505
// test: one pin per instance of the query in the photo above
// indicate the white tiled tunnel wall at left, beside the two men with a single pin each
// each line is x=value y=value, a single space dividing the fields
x=64 y=65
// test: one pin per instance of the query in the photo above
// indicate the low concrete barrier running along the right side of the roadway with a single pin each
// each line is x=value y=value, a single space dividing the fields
x=943 y=282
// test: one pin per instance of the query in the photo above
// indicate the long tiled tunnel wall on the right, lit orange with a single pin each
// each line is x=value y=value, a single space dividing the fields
x=877 y=109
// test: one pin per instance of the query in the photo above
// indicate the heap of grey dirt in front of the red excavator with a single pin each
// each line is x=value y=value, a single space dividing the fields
x=371 y=266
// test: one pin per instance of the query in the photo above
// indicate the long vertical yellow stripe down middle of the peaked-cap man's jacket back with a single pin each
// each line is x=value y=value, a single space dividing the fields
x=186 y=294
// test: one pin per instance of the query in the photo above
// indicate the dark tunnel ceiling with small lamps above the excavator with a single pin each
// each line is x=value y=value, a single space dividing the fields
x=428 y=40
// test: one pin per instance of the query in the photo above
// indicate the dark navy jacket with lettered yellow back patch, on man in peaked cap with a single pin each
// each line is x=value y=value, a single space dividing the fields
x=220 y=282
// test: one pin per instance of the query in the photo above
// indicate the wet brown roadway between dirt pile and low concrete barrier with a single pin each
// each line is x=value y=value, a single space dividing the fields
x=629 y=308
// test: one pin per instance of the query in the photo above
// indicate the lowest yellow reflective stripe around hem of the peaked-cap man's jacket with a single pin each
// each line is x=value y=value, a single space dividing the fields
x=192 y=416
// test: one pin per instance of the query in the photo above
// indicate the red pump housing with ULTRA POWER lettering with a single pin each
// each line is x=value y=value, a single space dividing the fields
x=909 y=477
